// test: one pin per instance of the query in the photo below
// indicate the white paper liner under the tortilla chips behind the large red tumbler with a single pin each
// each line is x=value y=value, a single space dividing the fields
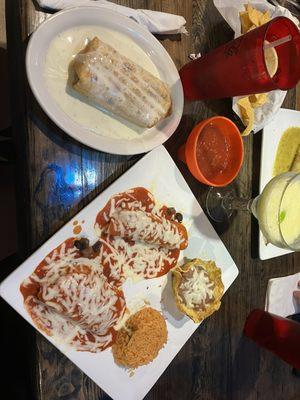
x=229 y=9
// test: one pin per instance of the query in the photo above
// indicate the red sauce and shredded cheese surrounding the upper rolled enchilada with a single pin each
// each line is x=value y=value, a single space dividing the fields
x=123 y=257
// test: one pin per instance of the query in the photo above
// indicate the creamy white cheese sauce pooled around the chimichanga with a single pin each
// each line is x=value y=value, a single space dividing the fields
x=56 y=71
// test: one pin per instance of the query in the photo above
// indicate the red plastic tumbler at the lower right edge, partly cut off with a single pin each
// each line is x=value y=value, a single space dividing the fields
x=279 y=335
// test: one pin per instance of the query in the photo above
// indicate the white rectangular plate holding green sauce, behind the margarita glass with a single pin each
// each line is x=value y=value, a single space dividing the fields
x=272 y=133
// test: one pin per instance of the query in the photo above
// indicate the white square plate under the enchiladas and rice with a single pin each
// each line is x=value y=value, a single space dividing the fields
x=158 y=173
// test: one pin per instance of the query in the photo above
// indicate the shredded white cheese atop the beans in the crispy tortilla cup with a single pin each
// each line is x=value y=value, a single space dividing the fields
x=196 y=289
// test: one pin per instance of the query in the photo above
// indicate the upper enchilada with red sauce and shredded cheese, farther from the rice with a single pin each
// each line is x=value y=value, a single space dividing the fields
x=128 y=257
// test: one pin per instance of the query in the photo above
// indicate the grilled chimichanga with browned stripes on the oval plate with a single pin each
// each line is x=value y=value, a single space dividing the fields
x=120 y=86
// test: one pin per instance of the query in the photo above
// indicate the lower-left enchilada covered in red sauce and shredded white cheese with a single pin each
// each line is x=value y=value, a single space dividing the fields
x=75 y=304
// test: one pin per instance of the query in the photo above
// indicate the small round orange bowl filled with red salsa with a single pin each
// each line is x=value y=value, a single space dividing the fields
x=214 y=151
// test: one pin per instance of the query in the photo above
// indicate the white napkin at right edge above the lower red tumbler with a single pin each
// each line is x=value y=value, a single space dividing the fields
x=279 y=296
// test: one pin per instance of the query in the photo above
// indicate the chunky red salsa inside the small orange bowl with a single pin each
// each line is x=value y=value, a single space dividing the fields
x=212 y=151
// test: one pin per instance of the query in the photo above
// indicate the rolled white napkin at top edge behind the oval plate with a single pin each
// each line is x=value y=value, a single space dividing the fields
x=154 y=21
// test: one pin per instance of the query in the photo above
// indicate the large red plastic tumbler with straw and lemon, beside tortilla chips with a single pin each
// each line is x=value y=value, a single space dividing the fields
x=239 y=67
